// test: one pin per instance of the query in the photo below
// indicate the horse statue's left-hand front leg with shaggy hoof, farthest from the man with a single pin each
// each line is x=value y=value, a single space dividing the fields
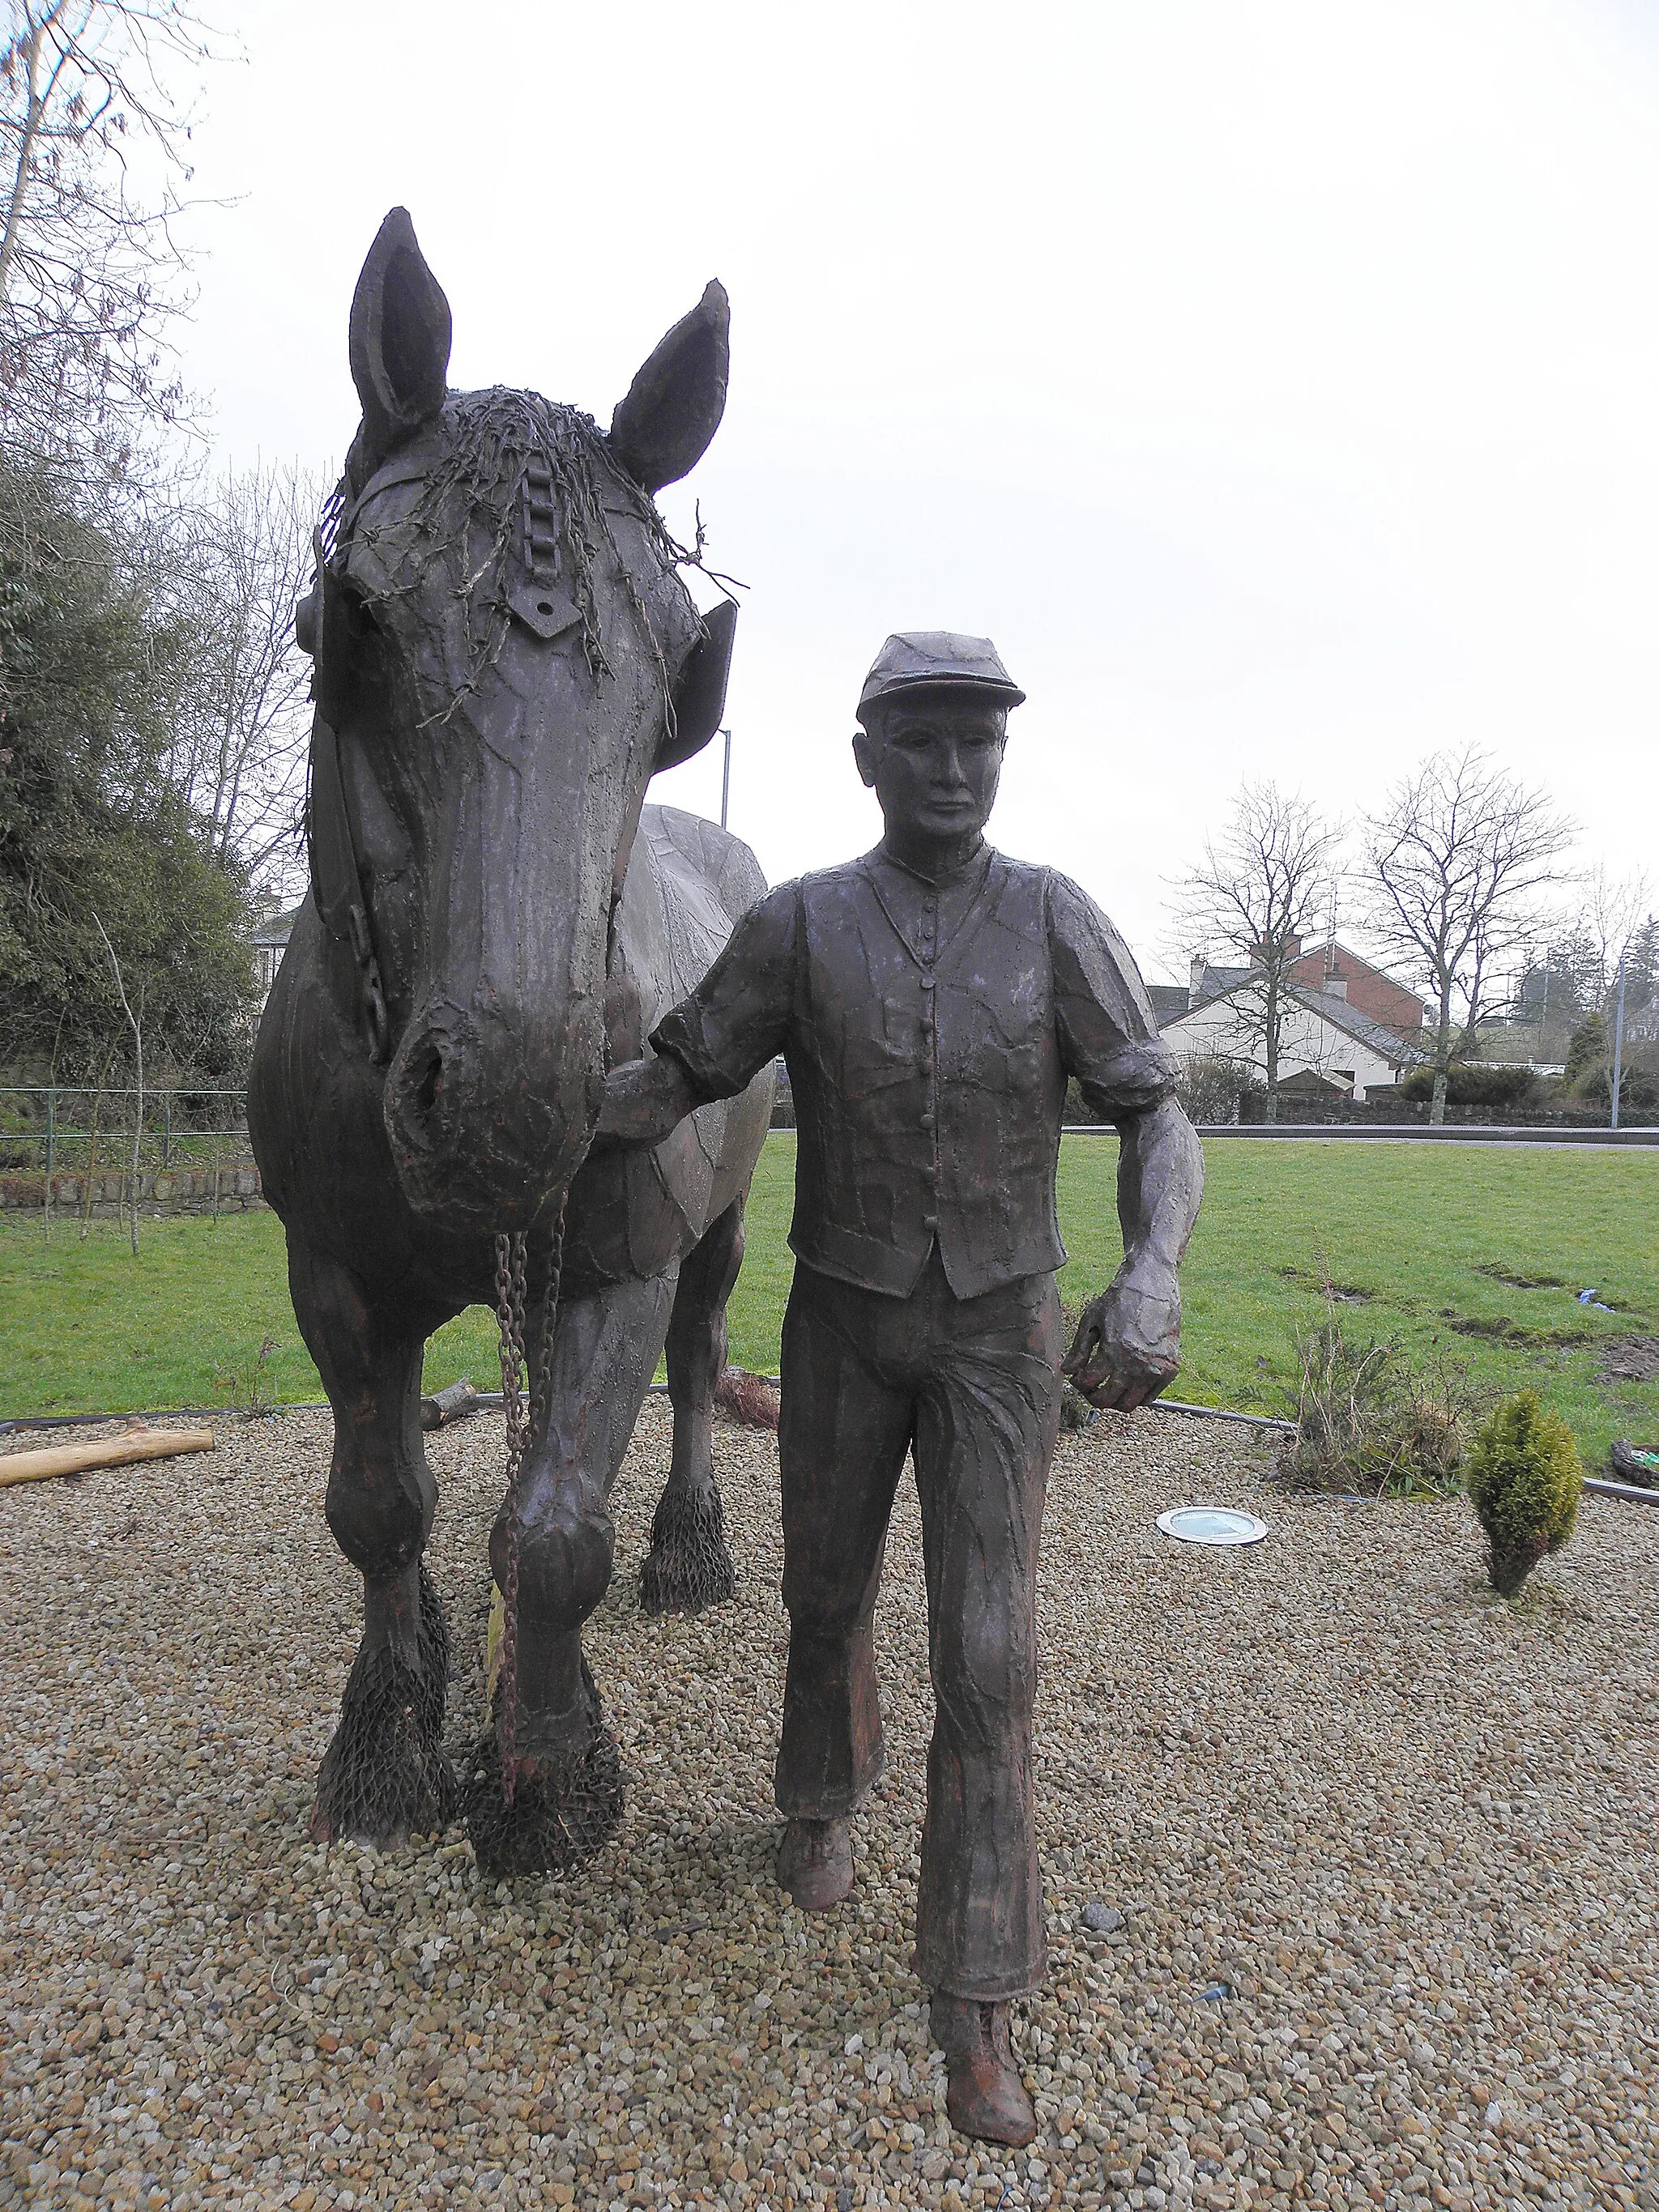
x=386 y=1775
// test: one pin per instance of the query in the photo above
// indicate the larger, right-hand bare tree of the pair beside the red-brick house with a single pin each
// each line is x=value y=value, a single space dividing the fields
x=1459 y=866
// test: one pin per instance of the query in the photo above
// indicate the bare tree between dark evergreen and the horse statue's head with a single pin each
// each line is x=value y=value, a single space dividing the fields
x=236 y=563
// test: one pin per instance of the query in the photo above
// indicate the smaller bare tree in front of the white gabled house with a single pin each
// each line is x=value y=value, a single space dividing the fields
x=1262 y=890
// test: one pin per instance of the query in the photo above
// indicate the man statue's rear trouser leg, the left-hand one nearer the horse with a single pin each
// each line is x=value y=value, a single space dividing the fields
x=842 y=1450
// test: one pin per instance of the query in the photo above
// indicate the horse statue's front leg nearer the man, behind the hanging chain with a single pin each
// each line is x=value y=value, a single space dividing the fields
x=567 y=1780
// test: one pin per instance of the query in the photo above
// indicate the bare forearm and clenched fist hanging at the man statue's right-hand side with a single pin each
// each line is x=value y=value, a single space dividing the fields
x=1129 y=1342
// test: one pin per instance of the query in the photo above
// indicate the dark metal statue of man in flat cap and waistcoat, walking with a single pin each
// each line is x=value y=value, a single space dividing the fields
x=932 y=1001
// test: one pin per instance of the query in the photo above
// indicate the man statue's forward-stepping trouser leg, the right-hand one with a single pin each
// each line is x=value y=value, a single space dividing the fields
x=985 y=1432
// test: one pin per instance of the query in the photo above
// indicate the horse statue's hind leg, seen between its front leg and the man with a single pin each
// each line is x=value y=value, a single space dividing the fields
x=689 y=1565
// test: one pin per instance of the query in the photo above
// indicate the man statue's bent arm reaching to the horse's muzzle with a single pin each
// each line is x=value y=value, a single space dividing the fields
x=718 y=1041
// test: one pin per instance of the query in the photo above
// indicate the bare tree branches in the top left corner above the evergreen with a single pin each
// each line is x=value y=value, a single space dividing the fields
x=94 y=152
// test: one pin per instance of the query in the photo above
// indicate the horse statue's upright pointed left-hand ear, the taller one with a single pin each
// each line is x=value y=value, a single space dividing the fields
x=399 y=346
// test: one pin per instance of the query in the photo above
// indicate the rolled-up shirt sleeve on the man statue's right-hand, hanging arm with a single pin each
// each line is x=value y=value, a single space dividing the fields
x=1107 y=1030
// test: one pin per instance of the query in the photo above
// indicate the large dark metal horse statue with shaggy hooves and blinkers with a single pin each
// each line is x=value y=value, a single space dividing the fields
x=503 y=654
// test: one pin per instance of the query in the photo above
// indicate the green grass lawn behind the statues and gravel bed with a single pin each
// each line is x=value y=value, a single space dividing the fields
x=1426 y=1233
